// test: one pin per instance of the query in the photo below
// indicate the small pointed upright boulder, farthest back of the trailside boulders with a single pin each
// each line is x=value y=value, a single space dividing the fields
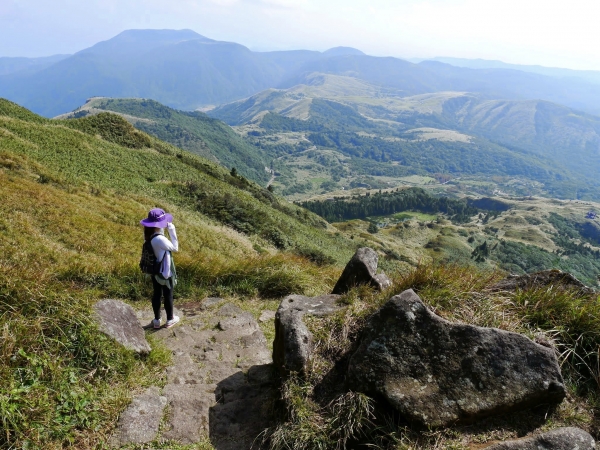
x=361 y=269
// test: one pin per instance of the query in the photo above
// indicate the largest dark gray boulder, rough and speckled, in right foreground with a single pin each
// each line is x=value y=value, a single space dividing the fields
x=436 y=373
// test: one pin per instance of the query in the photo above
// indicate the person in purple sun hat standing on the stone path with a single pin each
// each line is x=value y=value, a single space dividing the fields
x=164 y=282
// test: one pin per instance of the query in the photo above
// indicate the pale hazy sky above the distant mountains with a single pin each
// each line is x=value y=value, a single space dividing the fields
x=554 y=33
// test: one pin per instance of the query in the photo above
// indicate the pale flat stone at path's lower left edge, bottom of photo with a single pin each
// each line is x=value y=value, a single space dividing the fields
x=140 y=421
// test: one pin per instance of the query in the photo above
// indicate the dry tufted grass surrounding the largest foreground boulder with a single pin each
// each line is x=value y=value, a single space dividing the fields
x=459 y=294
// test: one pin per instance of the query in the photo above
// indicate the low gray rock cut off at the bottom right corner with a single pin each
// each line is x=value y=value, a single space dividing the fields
x=560 y=439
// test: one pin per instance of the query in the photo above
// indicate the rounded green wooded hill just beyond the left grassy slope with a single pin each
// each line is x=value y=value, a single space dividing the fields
x=192 y=131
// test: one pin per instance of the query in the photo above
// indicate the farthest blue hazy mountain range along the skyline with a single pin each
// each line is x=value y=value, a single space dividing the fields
x=185 y=70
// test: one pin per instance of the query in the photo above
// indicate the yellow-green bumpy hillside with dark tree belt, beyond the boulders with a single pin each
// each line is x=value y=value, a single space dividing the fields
x=518 y=235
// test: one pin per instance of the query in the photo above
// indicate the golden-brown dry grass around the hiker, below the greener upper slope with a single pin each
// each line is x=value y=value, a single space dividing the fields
x=62 y=383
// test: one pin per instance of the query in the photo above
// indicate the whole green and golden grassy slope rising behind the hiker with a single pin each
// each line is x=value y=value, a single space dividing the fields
x=70 y=235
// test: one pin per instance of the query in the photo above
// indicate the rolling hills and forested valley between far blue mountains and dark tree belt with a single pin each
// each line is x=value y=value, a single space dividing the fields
x=334 y=133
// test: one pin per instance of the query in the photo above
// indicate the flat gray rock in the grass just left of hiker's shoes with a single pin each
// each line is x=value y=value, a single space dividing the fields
x=119 y=321
